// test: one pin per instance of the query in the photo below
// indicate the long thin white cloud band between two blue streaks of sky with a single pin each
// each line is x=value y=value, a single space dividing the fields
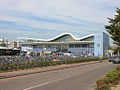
x=47 y=25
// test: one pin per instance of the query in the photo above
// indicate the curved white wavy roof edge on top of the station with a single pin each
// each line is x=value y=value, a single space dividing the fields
x=48 y=40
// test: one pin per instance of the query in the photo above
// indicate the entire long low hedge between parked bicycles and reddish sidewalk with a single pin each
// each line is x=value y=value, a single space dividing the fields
x=29 y=65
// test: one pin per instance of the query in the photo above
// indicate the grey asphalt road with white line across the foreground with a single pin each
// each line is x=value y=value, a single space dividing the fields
x=77 y=78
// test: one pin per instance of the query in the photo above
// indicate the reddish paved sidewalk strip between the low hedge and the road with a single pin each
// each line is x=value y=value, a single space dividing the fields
x=43 y=69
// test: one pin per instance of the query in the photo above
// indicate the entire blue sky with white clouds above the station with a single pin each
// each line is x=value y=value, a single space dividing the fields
x=34 y=18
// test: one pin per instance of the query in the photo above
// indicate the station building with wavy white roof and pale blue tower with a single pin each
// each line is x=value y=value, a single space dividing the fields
x=93 y=44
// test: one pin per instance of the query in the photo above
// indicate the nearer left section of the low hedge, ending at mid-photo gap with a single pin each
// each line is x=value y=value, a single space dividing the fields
x=18 y=66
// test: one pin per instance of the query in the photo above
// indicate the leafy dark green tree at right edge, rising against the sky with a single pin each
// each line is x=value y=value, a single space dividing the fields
x=114 y=27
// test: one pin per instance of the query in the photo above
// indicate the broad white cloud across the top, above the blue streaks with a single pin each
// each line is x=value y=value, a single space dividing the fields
x=58 y=9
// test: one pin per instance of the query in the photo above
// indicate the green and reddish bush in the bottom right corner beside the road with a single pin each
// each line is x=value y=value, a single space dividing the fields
x=109 y=80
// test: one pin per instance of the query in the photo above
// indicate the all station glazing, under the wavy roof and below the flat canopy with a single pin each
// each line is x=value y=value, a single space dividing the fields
x=73 y=48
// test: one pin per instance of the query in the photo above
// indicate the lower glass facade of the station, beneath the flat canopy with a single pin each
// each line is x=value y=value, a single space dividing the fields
x=76 y=49
